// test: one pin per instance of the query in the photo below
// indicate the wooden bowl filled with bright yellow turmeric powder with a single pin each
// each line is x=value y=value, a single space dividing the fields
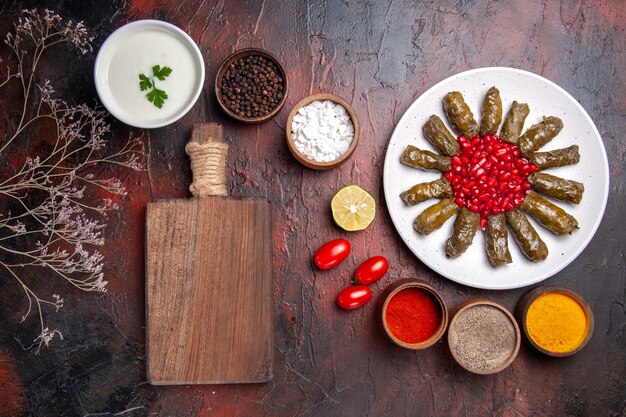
x=555 y=320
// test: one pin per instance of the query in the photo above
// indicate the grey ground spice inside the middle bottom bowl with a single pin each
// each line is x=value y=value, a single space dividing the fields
x=482 y=337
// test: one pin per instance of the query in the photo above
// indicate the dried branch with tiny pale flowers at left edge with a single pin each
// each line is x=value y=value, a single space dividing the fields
x=50 y=225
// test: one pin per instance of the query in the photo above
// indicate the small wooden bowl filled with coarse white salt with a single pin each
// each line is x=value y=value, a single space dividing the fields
x=322 y=131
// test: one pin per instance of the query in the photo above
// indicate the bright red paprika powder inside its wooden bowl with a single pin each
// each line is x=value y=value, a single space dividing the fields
x=413 y=315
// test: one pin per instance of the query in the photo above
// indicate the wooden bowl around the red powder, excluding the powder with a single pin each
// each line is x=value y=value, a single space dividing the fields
x=403 y=284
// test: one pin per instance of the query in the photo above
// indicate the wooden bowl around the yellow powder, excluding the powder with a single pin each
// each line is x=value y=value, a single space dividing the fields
x=527 y=299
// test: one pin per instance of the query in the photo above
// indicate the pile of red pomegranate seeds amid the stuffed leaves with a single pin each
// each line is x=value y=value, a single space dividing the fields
x=489 y=176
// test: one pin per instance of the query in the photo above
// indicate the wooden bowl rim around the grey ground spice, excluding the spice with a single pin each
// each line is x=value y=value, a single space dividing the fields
x=453 y=333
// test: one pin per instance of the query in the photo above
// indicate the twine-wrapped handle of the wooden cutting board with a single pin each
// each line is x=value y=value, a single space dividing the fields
x=208 y=160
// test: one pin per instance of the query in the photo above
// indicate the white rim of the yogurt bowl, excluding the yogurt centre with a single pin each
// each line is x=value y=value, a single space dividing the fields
x=104 y=56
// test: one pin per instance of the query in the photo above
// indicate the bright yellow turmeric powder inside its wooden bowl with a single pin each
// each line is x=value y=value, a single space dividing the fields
x=557 y=322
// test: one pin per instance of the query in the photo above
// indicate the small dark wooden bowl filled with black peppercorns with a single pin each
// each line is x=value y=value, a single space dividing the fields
x=251 y=86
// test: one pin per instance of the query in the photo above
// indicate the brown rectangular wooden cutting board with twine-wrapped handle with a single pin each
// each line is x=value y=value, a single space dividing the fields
x=208 y=279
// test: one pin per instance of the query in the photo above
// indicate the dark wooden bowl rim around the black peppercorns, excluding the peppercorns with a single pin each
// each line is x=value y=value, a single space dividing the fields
x=220 y=76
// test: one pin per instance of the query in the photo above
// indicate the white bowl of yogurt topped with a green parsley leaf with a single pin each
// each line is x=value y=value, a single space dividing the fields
x=149 y=73
